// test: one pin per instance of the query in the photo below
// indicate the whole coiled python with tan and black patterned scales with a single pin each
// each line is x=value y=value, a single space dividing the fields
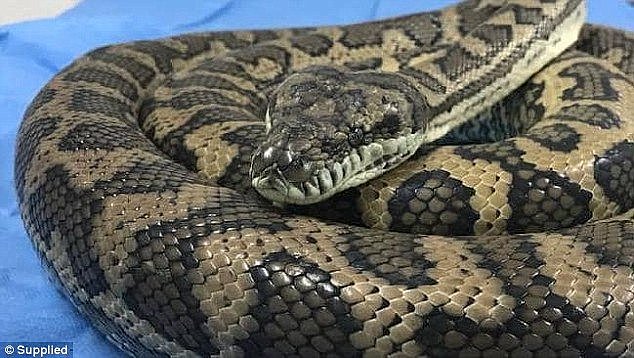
x=450 y=183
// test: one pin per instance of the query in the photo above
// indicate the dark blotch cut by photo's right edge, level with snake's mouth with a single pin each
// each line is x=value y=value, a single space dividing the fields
x=614 y=172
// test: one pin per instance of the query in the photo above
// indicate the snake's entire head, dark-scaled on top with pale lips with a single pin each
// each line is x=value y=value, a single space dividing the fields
x=328 y=130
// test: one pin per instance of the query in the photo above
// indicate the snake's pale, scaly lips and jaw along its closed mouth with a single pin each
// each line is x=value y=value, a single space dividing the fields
x=331 y=177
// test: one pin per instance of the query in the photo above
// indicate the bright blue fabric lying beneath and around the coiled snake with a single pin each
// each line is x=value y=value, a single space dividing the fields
x=31 y=52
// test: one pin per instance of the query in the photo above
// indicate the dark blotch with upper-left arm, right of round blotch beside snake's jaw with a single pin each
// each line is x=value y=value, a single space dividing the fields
x=540 y=200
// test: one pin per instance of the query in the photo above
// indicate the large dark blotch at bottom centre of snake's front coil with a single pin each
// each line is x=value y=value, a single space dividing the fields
x=309 y=296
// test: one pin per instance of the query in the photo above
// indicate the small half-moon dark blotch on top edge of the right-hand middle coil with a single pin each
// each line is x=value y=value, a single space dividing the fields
x=592 y=114
